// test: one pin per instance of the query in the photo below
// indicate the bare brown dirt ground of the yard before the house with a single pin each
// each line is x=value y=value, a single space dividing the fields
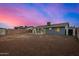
x=38 y=45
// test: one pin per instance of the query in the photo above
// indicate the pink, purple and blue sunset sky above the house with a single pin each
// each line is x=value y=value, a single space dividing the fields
x=34 y=14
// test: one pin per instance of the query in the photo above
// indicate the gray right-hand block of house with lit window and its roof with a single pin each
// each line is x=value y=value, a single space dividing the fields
x=58 y=29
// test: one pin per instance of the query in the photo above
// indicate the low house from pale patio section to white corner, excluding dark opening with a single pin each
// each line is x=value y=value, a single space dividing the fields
x=52 y=29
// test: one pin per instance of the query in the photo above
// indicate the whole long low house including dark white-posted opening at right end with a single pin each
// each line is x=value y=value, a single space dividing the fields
x=55 y=29
